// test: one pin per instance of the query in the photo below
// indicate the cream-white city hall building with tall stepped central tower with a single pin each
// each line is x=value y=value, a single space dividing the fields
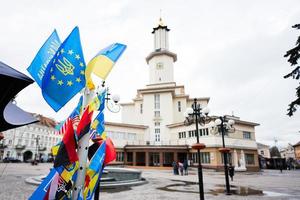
x=152 y=132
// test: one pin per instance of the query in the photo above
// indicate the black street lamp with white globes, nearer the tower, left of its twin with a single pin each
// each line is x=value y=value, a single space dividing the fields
x=199 y=115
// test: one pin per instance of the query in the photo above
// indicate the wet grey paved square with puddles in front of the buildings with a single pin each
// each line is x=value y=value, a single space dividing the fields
x=162 y=184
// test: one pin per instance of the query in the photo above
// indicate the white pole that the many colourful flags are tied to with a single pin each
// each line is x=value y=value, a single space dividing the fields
x=83 y=148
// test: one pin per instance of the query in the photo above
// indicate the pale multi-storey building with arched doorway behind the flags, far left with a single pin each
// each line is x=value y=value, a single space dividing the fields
x=30 y=141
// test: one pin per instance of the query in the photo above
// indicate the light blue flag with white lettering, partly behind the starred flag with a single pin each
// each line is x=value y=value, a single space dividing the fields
x=40 y=62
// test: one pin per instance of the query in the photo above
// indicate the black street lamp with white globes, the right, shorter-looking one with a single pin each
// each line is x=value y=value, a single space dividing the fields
x=224 y=126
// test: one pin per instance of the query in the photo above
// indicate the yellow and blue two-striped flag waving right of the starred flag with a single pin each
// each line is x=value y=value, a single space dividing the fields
x=103 y=62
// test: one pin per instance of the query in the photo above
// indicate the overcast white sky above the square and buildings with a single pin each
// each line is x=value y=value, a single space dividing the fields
x=230 y=51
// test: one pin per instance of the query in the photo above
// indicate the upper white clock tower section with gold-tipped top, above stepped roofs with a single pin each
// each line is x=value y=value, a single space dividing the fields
x=161 y=60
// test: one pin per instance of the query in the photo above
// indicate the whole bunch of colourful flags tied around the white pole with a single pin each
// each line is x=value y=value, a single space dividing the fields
x=60 y=71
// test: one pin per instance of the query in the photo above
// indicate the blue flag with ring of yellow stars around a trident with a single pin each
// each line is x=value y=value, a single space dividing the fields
x=65 y=74
